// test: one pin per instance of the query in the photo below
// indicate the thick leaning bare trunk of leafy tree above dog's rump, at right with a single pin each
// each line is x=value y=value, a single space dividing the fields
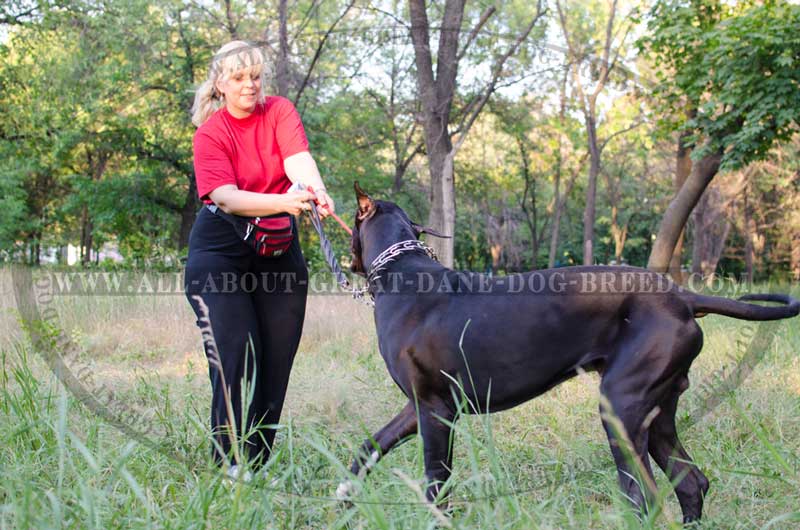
x=679 y=209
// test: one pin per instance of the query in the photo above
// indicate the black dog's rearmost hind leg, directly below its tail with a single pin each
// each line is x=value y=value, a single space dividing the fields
x=689 y=482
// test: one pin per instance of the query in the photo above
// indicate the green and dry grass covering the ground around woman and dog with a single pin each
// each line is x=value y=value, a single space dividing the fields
x=545 y=464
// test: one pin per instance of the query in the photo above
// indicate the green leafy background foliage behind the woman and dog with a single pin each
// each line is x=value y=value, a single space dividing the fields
x=96 y=136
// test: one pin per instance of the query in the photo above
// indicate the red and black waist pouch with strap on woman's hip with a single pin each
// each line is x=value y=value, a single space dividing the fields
x=269 y=236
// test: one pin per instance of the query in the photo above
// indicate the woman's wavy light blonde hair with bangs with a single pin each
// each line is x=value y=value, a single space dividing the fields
x=232 y=57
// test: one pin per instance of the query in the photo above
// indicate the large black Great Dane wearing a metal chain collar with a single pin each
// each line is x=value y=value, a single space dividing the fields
x=527 y=334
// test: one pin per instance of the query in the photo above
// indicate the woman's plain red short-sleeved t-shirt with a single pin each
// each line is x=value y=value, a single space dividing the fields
x=248 y=152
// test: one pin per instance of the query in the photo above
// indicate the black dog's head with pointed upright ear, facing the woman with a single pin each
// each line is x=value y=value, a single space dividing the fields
x=381 y=223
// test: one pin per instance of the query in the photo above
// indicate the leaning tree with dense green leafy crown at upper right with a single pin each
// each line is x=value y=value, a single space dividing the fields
x=740 y=74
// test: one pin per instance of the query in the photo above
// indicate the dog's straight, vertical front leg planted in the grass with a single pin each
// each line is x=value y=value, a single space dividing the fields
x=435 y=426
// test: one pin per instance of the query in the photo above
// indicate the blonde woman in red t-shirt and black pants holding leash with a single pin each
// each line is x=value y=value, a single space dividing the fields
x=248 y=150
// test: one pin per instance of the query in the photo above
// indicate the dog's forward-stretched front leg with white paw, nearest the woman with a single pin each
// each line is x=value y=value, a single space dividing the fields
x=375 y=447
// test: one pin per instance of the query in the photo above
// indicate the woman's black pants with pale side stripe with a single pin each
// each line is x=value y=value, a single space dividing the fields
x=256 y=308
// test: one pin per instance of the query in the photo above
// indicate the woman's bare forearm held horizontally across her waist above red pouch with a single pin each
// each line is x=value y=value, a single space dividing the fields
x=232 y=200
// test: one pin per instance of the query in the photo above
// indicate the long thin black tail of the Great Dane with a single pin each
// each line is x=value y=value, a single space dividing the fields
x=703 y=304
